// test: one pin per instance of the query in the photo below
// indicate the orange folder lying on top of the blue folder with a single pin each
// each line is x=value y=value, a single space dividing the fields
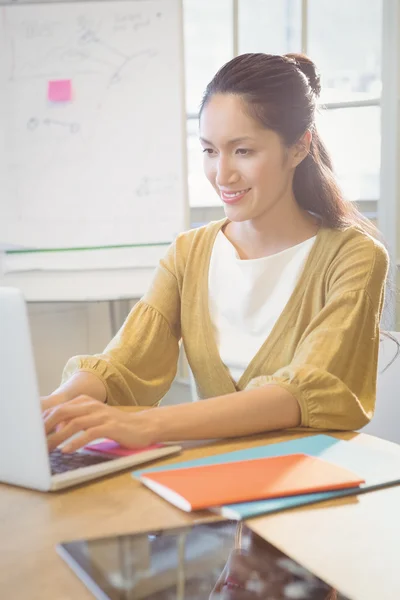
x=208 y=486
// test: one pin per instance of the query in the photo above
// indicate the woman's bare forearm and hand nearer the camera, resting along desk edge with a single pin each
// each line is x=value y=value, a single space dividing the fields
x=241 y=413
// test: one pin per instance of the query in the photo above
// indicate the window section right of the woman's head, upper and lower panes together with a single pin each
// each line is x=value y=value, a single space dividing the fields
x=344 y=40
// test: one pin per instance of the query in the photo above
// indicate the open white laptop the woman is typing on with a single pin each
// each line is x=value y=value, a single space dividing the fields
x=24 y=457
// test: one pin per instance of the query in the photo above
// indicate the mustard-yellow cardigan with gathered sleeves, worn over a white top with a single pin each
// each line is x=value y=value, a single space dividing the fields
x=323 y=348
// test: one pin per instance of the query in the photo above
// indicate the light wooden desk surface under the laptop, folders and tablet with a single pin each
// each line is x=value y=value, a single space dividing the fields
x=354 y=544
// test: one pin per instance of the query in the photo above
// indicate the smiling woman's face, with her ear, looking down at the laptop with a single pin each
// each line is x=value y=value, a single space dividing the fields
x=249 y=166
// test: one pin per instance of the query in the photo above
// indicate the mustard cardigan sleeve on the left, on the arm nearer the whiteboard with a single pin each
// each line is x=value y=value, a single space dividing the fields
x=139 y=364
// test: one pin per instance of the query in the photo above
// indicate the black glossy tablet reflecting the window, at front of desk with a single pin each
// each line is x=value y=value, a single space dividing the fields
x=220 y=560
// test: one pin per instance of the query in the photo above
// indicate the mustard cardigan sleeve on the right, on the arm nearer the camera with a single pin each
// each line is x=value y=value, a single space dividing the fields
x=334 y=368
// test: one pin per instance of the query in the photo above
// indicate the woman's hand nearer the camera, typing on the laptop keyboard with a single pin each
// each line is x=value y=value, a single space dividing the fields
x=95 y=420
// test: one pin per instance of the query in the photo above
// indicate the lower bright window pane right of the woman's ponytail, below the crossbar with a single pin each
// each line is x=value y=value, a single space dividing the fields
x=353 y=138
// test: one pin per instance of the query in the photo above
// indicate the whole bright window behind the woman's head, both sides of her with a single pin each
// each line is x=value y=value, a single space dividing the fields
x=344 y=40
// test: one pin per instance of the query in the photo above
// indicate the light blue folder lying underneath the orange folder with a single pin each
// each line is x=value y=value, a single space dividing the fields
x=379 y=469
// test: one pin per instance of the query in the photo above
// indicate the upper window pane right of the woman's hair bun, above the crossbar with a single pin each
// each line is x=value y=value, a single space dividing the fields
x=350 y=63
